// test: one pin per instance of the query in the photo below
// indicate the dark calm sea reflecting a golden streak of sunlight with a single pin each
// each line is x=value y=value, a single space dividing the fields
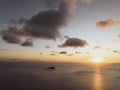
x=27 y=75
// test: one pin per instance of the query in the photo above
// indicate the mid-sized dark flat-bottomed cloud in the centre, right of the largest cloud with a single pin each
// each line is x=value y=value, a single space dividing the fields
x=74 y=42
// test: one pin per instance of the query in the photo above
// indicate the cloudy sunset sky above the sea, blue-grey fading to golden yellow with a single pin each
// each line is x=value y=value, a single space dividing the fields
x=60 y=30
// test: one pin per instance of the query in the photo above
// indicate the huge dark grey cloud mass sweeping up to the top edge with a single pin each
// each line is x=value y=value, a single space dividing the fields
x=44 y=25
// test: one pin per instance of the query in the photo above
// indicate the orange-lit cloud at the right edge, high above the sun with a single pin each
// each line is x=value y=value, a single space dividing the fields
x=107 y=24
